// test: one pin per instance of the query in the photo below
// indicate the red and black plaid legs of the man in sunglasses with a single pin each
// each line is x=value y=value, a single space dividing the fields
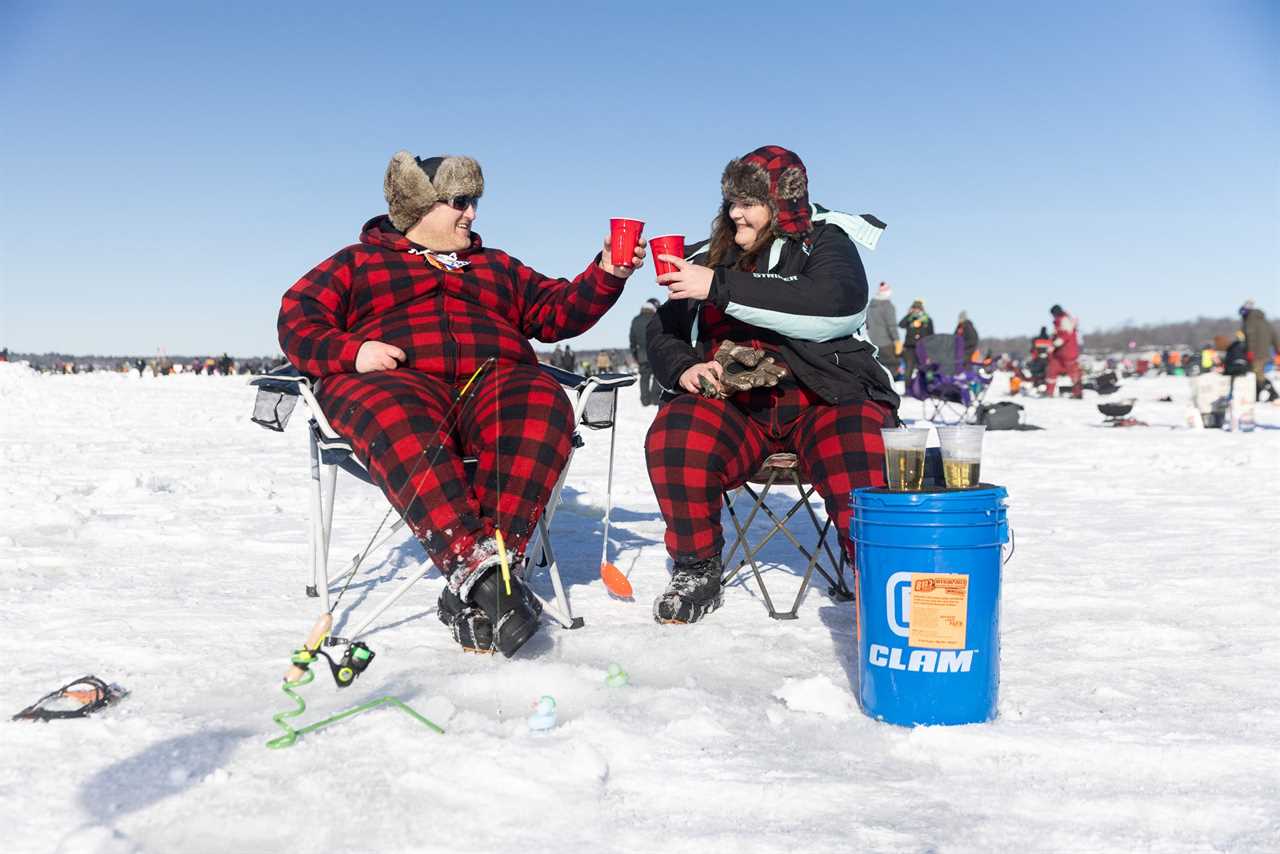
x=516 y=423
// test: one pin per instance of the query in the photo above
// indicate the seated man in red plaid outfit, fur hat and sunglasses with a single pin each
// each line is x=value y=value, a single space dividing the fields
x=394 y=327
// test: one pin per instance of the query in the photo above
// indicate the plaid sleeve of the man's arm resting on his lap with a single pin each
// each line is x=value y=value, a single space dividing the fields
x=312 y=319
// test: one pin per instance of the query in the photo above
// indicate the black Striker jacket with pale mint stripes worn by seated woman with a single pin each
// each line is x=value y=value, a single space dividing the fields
x=808 y=307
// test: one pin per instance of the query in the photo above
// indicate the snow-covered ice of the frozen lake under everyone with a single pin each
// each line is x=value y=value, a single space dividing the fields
x=150 y=535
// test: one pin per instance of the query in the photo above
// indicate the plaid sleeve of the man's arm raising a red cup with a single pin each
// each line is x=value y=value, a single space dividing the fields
x=556 y=309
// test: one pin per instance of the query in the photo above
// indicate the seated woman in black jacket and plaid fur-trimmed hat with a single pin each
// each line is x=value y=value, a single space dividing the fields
x=781 y=300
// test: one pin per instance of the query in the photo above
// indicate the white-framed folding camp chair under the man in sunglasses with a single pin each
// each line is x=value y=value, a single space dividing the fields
x=595 y=407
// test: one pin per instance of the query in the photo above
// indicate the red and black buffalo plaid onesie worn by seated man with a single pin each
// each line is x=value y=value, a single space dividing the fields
x=449 y=322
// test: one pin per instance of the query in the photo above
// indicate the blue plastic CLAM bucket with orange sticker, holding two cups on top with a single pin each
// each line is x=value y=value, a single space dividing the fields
x=943 y=551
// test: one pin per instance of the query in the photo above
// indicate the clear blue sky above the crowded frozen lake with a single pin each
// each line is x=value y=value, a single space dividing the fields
x=171 y=168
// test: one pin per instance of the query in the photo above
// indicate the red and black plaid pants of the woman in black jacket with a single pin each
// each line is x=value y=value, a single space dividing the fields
x=700 y=449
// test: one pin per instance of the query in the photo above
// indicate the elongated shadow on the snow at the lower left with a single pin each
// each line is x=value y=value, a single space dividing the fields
x=162 y=770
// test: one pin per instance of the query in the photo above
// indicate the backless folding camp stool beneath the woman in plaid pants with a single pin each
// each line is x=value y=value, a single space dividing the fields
x=783 y=469
